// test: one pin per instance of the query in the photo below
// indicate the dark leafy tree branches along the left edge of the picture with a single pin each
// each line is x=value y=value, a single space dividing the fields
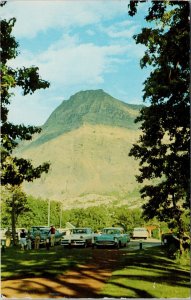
x=16 y=170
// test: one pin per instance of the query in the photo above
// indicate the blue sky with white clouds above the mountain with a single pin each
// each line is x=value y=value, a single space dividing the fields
x=77 y=45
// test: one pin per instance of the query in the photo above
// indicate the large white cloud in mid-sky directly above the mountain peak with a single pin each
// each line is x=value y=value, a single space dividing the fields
x=70 y=63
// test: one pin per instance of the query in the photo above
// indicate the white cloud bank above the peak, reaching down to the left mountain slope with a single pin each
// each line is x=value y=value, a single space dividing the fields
x=69 y=66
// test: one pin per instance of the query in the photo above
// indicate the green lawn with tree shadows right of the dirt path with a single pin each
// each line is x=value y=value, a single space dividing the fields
x=149 y=274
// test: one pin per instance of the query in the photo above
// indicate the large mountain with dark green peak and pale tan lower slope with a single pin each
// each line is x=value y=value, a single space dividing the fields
x=87 y=140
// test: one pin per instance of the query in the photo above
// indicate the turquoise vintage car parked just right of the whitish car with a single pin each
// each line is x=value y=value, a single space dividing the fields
x=111 y=236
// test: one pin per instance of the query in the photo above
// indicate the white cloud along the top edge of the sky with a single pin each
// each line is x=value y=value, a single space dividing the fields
x=35 y=16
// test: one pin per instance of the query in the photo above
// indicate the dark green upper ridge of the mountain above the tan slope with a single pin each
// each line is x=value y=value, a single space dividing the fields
x=91 y=107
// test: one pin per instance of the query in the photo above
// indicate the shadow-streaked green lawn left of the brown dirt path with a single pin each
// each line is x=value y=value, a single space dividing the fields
x=16 y=263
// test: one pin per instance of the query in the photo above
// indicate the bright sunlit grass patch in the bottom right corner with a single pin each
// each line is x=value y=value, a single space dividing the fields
x=131 y=283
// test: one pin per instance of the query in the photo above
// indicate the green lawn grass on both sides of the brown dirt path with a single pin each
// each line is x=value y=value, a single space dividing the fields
x=146 y=273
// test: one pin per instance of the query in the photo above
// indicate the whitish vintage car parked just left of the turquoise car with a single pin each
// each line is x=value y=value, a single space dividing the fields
x=78 y=237
